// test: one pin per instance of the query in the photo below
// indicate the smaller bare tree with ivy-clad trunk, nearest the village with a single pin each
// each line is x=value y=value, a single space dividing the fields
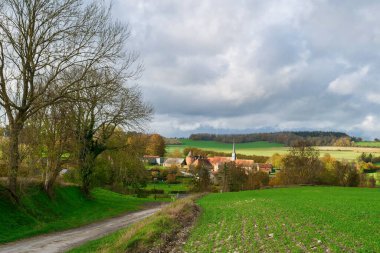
x=98 y=111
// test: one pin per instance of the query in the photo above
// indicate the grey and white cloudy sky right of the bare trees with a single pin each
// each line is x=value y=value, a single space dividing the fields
x=226 y=66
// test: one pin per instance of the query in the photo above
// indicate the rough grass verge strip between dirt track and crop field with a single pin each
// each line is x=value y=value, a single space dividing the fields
x=159 y=233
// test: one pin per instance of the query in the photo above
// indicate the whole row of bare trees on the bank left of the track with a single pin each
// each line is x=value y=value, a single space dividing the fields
x=64 y=66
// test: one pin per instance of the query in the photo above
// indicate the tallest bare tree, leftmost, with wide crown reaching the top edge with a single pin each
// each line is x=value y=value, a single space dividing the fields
x=40 y=40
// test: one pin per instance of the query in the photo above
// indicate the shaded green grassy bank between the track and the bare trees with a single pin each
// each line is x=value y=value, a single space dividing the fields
x=38 y=214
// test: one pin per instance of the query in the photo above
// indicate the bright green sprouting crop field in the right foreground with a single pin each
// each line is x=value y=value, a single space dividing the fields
x=302 y=219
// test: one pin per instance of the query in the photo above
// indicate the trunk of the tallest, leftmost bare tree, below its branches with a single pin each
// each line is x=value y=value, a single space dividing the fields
x=14 y=159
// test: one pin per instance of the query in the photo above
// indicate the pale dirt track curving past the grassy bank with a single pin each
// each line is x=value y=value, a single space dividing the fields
x=65 y=240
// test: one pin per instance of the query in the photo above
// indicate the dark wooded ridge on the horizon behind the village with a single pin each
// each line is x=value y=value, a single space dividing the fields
x=316 y=138
